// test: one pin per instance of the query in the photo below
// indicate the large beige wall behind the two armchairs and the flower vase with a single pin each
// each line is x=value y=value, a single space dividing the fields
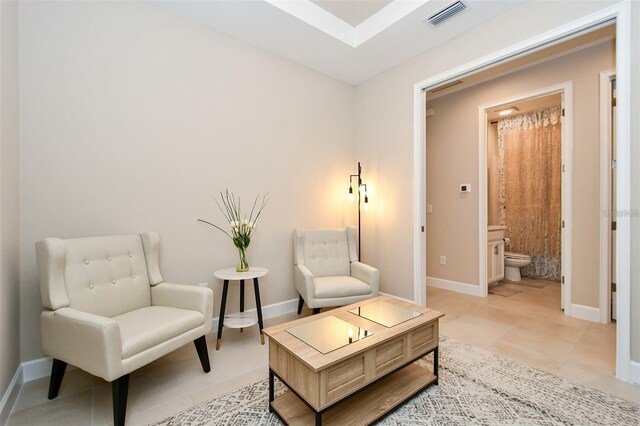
x=132 y=117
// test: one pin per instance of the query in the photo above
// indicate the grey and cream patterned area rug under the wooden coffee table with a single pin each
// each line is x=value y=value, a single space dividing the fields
x=475 y=387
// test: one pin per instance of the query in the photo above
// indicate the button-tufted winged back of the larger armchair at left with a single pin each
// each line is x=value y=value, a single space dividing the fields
x=106 y=276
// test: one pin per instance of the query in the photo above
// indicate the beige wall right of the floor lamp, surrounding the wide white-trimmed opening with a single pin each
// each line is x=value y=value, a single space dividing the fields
x=384 y=131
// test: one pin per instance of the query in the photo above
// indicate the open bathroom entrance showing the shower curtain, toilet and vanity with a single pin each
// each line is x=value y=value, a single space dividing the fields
x=524 y=182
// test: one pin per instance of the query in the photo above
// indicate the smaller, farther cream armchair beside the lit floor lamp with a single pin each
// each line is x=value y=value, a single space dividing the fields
x=327 y=270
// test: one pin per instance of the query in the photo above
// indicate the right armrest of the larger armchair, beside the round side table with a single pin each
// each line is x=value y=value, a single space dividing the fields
x=184 y=297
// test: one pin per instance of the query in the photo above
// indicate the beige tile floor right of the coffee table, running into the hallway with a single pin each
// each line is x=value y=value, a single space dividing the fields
x=530 y=327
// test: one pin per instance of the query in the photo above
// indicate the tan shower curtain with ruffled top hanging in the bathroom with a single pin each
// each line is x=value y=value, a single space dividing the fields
x=529 y=185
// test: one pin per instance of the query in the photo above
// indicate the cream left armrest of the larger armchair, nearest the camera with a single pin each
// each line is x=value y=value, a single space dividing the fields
x=90 y=342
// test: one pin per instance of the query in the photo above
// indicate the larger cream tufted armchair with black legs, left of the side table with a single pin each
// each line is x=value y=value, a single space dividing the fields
x=108 y=311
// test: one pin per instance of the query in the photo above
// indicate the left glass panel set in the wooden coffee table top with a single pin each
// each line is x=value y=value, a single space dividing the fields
x=328 y=334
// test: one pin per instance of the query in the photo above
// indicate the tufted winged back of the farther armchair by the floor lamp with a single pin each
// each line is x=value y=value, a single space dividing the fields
x=326 y=252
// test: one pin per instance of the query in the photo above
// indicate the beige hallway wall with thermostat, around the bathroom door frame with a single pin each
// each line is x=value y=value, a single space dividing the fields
x=452 y=158
